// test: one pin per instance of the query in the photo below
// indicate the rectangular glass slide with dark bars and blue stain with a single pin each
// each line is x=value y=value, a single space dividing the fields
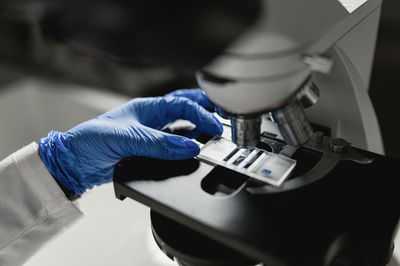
x=265 y=166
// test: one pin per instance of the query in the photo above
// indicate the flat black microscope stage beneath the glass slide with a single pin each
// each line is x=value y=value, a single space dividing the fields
x=296 y=227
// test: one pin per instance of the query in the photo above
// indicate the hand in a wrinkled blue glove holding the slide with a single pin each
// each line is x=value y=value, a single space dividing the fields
x=85 y=155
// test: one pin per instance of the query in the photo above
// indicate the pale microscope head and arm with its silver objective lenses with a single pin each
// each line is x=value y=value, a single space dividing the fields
x=329 y=44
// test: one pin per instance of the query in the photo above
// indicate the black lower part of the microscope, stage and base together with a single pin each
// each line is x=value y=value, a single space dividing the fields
x=348 y=217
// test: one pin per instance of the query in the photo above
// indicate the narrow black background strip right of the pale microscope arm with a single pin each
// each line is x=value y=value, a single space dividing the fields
x=385 y=82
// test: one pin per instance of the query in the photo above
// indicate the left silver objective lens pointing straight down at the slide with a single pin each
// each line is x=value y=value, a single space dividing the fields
x=246 y=130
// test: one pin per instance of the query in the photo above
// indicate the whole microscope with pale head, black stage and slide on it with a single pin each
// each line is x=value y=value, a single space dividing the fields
x=298 y=177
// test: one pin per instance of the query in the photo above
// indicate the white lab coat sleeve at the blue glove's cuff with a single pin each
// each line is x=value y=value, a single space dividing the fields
x=33 y=208
